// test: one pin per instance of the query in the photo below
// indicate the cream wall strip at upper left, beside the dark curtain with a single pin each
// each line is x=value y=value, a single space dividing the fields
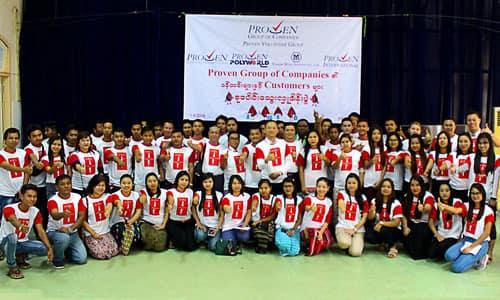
x=10 y=26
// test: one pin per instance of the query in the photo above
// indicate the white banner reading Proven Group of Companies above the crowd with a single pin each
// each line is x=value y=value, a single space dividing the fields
x=271 y=67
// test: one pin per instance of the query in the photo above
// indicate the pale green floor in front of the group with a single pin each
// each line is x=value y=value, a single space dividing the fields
x=202 y=275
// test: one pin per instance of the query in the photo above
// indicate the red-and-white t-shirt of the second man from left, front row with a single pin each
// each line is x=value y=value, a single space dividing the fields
x=73 y=203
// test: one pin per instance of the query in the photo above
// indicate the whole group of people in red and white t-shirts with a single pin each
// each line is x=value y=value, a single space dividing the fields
x=286 y=186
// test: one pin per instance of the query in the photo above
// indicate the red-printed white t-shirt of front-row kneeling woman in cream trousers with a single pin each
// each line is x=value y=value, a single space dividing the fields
x=353 y=211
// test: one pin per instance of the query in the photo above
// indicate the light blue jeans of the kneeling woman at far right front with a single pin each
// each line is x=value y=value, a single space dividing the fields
x=462 y=262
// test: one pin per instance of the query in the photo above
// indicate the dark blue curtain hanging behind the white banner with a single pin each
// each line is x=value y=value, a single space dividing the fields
x=83 y=60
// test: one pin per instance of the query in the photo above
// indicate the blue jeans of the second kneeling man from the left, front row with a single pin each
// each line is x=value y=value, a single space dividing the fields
x=62 y=242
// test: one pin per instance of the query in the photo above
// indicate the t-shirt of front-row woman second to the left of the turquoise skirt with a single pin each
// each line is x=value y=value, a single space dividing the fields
x=239 y=206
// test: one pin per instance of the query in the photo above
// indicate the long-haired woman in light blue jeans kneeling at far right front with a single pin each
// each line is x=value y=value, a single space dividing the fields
x=472 y=249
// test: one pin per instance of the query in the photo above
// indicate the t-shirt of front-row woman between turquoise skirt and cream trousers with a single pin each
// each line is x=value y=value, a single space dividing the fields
x=322 y=215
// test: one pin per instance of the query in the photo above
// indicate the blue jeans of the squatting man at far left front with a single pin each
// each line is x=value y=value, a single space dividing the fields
x=12 y=247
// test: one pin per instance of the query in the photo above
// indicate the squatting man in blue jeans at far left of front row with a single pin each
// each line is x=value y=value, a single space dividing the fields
x=17 y=221
